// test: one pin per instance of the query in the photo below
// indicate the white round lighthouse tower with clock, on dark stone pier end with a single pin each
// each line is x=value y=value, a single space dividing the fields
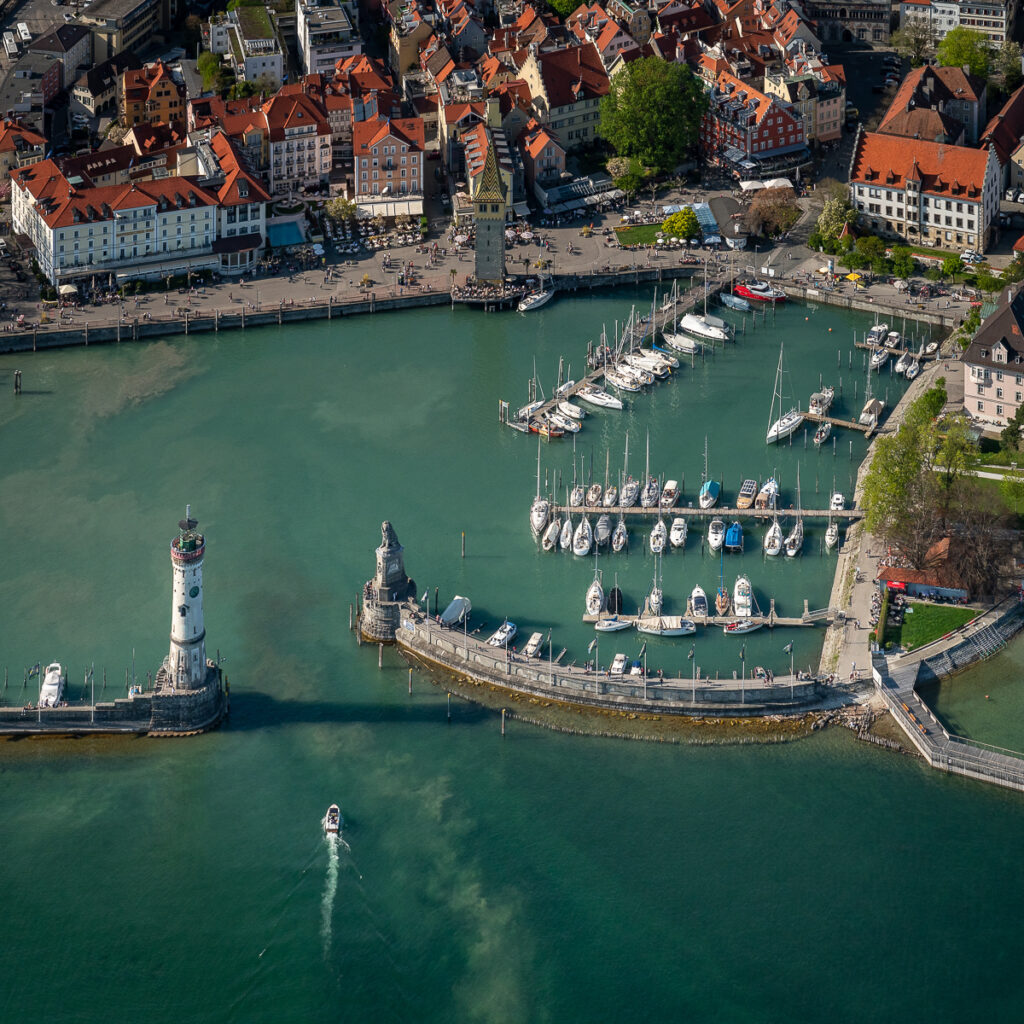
x=186 y=664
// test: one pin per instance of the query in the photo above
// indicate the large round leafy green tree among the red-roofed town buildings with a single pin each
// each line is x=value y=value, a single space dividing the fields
x=653 y=112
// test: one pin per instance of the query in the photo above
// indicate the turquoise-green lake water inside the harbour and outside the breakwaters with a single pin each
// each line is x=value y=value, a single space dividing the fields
x=540 y=877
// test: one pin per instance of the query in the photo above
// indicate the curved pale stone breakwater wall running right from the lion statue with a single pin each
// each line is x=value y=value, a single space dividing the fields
x=472 y=659
